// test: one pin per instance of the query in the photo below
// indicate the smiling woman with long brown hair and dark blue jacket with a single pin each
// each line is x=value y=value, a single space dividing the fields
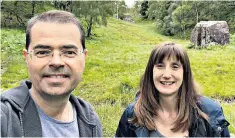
x=169 y=104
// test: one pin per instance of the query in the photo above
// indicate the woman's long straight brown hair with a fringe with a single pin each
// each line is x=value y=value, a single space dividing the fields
x=148 y=101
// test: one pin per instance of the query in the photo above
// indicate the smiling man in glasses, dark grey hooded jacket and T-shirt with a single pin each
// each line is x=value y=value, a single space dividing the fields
x=44 y=107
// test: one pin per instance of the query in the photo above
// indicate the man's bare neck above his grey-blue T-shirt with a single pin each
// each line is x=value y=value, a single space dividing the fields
x=59 y=109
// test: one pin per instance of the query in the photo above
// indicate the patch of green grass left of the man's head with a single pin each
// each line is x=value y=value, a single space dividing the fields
x=13 y=66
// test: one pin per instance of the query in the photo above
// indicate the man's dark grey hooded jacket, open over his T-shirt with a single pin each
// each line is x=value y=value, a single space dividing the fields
x=19 y=116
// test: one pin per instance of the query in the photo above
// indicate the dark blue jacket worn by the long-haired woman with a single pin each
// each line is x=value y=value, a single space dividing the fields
x=215 y=127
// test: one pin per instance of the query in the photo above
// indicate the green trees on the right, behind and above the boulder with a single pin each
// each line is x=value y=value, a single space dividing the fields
x=179 y=17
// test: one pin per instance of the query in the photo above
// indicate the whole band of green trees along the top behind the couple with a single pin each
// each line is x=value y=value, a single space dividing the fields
x=171 y=17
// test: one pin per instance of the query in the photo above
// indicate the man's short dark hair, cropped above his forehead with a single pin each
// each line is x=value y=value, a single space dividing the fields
x=54 y=16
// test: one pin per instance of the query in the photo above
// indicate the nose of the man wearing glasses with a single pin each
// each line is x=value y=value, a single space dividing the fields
x=56 y=60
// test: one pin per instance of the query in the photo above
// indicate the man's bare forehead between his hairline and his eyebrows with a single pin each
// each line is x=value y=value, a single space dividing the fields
x=55 y=34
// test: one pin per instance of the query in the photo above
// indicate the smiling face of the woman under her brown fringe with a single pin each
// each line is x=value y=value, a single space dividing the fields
x=168 y=76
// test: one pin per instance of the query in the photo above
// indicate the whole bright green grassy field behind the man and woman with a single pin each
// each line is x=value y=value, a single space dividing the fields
x=117 y=57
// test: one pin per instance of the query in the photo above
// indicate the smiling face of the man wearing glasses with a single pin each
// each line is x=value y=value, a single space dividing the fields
x=56 y=74
